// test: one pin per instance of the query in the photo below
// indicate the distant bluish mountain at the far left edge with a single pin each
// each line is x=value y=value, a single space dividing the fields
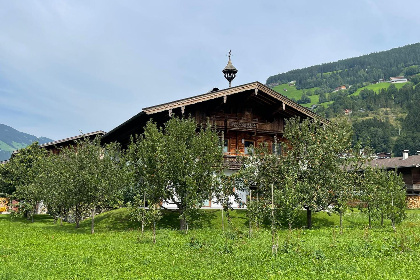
x=12 y=139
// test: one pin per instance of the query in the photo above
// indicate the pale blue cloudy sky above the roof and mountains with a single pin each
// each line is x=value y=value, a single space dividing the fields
x=75 y=66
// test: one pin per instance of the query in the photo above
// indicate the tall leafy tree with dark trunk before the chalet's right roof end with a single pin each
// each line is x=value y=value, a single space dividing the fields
x=317 y=153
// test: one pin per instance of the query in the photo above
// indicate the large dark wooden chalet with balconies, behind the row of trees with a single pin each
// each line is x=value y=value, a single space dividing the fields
x=244 y=115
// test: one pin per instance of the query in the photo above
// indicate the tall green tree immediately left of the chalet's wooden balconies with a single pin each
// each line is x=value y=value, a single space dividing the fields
x=193 y=160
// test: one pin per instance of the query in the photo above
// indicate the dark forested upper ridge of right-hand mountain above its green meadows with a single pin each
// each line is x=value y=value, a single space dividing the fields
x=403 y=61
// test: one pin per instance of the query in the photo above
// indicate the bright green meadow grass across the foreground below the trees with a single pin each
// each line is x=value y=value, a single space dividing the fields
x=44 y=250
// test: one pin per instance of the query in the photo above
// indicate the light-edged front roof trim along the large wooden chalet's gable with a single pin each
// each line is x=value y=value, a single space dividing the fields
x=257 y=86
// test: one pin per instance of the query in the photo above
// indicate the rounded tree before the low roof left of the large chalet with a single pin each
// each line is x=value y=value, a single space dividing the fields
x=95 y=177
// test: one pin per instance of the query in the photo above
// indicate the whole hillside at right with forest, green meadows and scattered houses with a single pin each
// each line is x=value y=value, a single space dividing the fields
x=384 y=115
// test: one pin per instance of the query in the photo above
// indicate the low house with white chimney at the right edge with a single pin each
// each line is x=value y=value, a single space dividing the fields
x=409 y=167
